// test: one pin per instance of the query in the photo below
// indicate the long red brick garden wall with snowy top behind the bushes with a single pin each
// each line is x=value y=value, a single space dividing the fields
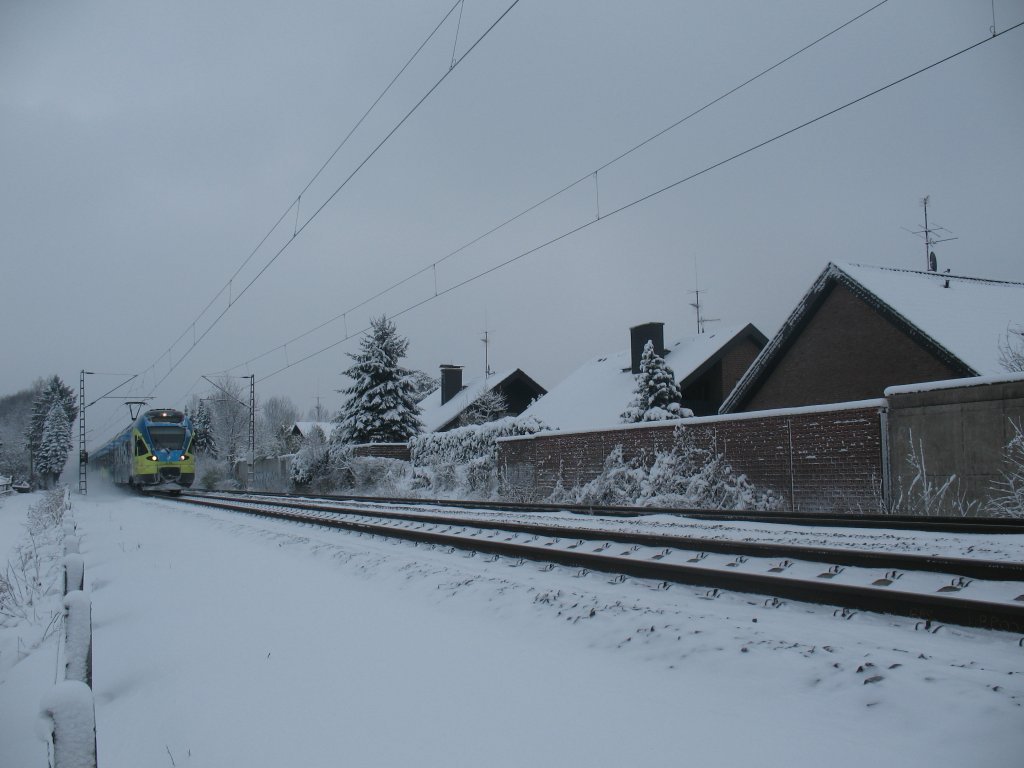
x=818 y=460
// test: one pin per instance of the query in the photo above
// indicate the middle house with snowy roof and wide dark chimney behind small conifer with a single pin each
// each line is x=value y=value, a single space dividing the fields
x=706 y=366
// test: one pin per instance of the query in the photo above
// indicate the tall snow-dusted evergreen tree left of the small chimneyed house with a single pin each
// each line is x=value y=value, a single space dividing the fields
x=381 y=405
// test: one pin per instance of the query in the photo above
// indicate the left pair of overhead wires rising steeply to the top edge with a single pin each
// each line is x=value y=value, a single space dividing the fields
x=298 y=230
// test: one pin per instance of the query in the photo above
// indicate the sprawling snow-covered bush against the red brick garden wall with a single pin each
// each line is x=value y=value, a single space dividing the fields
x=692 y=475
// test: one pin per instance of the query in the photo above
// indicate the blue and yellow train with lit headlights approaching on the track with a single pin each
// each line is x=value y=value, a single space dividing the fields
x=154 y=453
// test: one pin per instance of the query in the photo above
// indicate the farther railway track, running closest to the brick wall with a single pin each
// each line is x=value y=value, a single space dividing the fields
x=897 y=523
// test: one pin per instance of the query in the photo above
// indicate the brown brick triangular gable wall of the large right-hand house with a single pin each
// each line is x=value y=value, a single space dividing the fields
x=847 y=353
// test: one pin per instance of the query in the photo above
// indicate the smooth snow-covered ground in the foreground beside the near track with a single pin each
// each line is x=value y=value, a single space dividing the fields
x=222 y=639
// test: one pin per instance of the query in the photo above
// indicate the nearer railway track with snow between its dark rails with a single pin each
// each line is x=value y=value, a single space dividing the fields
x=849 y=579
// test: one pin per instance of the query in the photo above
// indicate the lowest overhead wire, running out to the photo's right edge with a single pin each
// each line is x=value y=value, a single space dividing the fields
x=650 y=196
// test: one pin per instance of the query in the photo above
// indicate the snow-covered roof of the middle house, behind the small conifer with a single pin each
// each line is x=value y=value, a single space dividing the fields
x=598 y=393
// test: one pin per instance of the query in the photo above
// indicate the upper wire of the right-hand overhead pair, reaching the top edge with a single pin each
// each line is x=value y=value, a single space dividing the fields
x=586 y=178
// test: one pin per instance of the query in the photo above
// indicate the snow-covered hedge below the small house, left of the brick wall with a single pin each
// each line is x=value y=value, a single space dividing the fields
x=463 y=461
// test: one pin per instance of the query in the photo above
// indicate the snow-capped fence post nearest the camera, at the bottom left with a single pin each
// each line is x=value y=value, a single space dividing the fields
x=71 y=715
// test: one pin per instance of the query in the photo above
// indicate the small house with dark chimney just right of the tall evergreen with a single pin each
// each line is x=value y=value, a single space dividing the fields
x=443 y=409
